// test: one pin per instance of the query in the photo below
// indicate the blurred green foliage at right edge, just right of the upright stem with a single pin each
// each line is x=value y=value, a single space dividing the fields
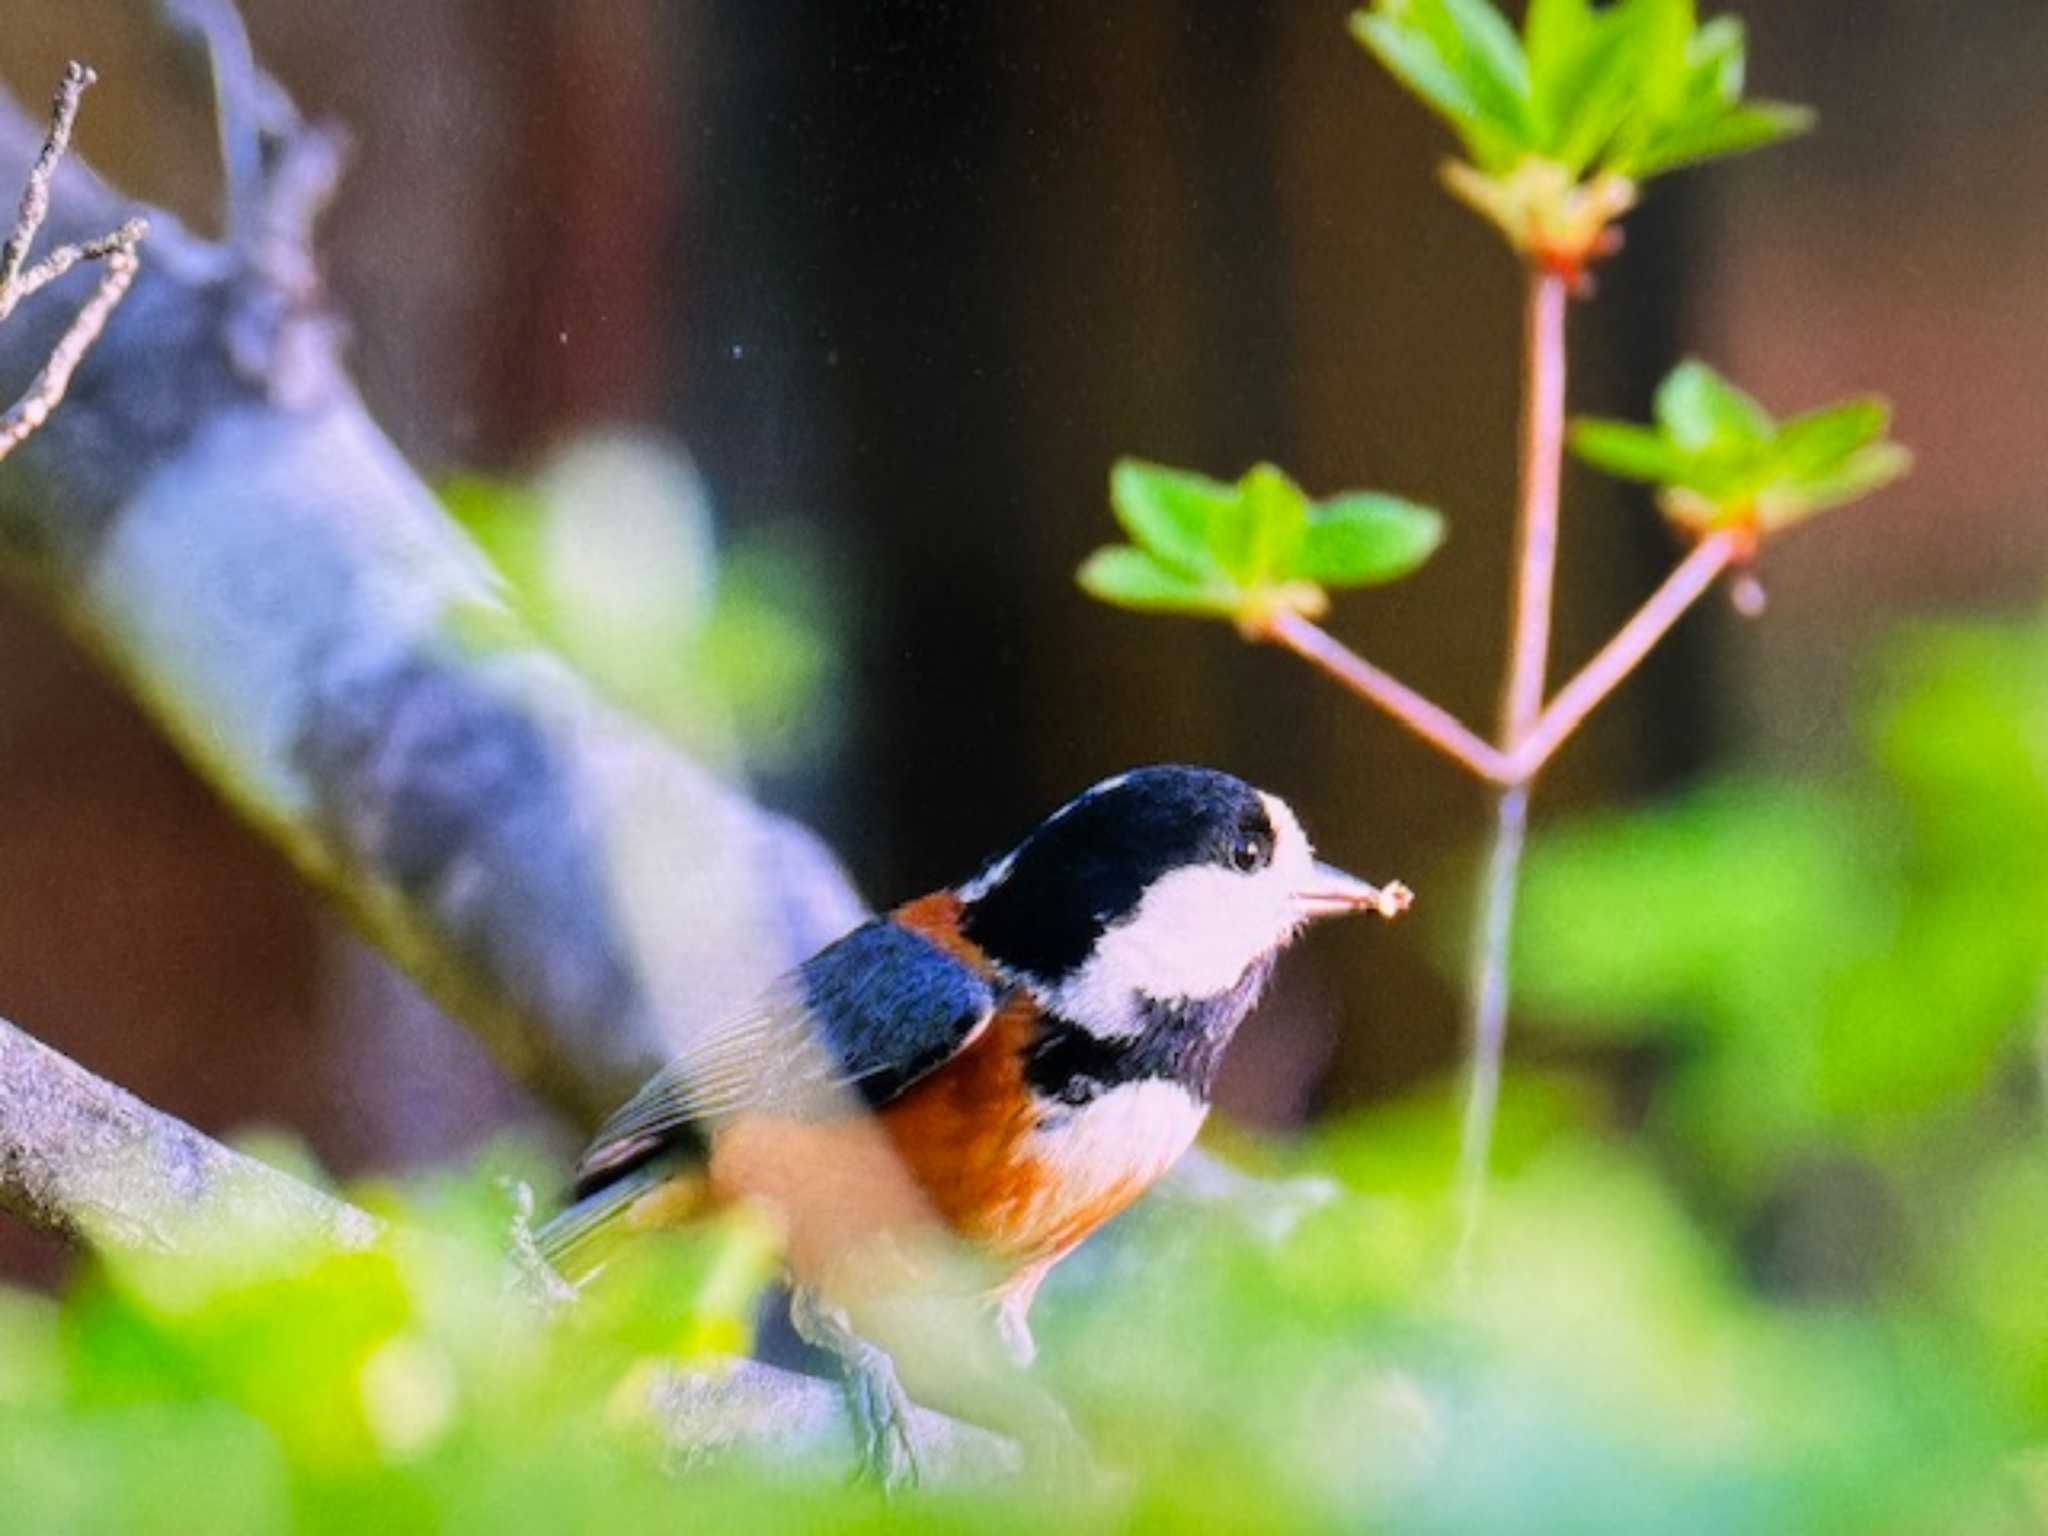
x=1836 y=964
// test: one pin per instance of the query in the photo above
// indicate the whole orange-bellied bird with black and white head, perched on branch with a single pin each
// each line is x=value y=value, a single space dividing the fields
x=1015 y=1060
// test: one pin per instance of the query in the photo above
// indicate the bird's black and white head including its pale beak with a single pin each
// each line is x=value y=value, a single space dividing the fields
x=1158 y=884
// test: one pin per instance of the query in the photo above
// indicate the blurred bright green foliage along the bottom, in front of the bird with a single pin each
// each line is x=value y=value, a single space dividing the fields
x=1605 y=1367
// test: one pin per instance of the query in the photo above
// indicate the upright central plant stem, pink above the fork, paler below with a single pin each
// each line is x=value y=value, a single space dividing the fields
x=1529 y=658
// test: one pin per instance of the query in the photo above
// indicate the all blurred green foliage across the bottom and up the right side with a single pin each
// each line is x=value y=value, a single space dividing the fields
x=1766 y=1250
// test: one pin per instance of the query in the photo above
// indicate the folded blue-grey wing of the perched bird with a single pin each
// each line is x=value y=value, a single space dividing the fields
x=853 y=1027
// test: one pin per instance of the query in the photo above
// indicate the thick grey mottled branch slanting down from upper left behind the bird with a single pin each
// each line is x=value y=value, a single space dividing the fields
x=220 y=521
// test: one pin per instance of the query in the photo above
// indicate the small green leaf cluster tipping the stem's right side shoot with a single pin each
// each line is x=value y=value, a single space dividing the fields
x=1721 y=460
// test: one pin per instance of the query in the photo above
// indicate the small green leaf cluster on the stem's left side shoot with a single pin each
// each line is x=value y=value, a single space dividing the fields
x=1250 y=548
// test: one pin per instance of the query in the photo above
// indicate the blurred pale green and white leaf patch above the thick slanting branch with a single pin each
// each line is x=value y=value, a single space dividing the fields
x=609 y=556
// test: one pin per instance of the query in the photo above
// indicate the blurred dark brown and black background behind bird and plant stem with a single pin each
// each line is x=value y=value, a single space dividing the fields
x=908 y=275
